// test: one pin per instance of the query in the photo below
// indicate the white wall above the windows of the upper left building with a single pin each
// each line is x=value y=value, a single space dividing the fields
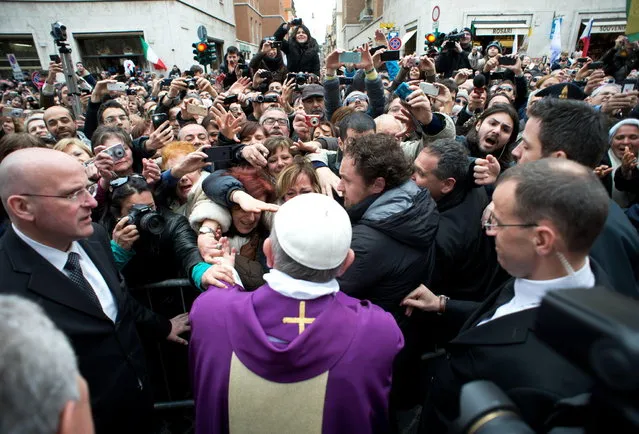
x=168 y=26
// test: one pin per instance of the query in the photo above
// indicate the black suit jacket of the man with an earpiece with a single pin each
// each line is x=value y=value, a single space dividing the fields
x=507 y=352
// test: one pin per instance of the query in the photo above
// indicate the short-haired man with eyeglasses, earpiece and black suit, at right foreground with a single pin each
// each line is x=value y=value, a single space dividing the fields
x=544 y=247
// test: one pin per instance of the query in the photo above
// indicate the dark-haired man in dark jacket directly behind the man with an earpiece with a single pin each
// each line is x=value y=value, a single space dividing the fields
x=563 y=128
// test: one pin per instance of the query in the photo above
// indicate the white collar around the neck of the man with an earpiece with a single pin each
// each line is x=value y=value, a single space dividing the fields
x=532 y=291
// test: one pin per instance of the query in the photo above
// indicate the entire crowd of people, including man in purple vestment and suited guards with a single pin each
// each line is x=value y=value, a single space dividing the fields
x=360 y=239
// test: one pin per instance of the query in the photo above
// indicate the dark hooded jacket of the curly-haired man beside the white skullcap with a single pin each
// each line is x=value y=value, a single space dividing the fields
x=394 y=244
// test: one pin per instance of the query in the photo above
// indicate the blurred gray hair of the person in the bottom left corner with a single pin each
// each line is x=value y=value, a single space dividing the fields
x=38 y=369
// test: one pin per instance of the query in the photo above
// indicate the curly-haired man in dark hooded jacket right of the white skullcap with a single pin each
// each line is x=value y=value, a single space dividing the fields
x=394 y=226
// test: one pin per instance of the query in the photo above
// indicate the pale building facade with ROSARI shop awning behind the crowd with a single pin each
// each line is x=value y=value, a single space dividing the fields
x=510 y=22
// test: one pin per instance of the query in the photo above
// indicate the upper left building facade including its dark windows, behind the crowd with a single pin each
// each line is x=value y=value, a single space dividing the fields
x=103 y=35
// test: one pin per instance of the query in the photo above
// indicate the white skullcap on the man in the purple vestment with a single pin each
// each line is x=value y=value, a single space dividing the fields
x=313 y=230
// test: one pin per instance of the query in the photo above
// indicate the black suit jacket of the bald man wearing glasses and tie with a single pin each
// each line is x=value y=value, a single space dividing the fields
x=109 y=354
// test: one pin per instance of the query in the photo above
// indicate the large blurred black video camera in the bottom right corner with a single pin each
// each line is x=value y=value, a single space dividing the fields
x=596 y=330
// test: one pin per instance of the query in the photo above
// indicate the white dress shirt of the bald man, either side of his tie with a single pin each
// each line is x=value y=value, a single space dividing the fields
x=58 y=259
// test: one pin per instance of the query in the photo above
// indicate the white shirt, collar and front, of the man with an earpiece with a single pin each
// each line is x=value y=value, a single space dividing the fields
x=528 y=293
